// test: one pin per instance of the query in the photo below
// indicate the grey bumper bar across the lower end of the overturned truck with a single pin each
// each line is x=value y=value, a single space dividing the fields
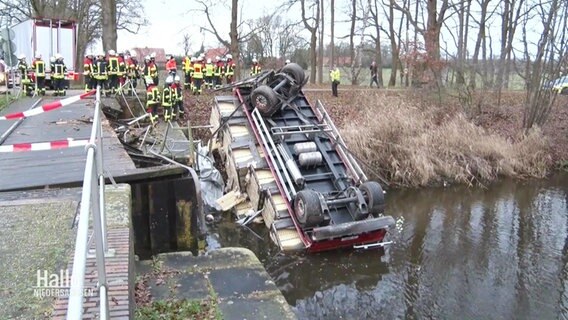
x=352 y=228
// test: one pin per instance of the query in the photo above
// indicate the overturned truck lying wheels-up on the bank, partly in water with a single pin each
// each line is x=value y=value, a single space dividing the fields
x=289 y=159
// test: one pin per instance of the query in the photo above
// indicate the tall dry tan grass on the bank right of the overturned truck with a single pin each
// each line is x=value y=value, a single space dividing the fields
x=409 y=140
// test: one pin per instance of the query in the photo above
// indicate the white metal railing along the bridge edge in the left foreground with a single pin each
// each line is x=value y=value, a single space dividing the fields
x=92 y=201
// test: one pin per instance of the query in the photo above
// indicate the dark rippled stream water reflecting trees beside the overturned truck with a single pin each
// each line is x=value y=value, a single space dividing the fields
x=458 y=253
